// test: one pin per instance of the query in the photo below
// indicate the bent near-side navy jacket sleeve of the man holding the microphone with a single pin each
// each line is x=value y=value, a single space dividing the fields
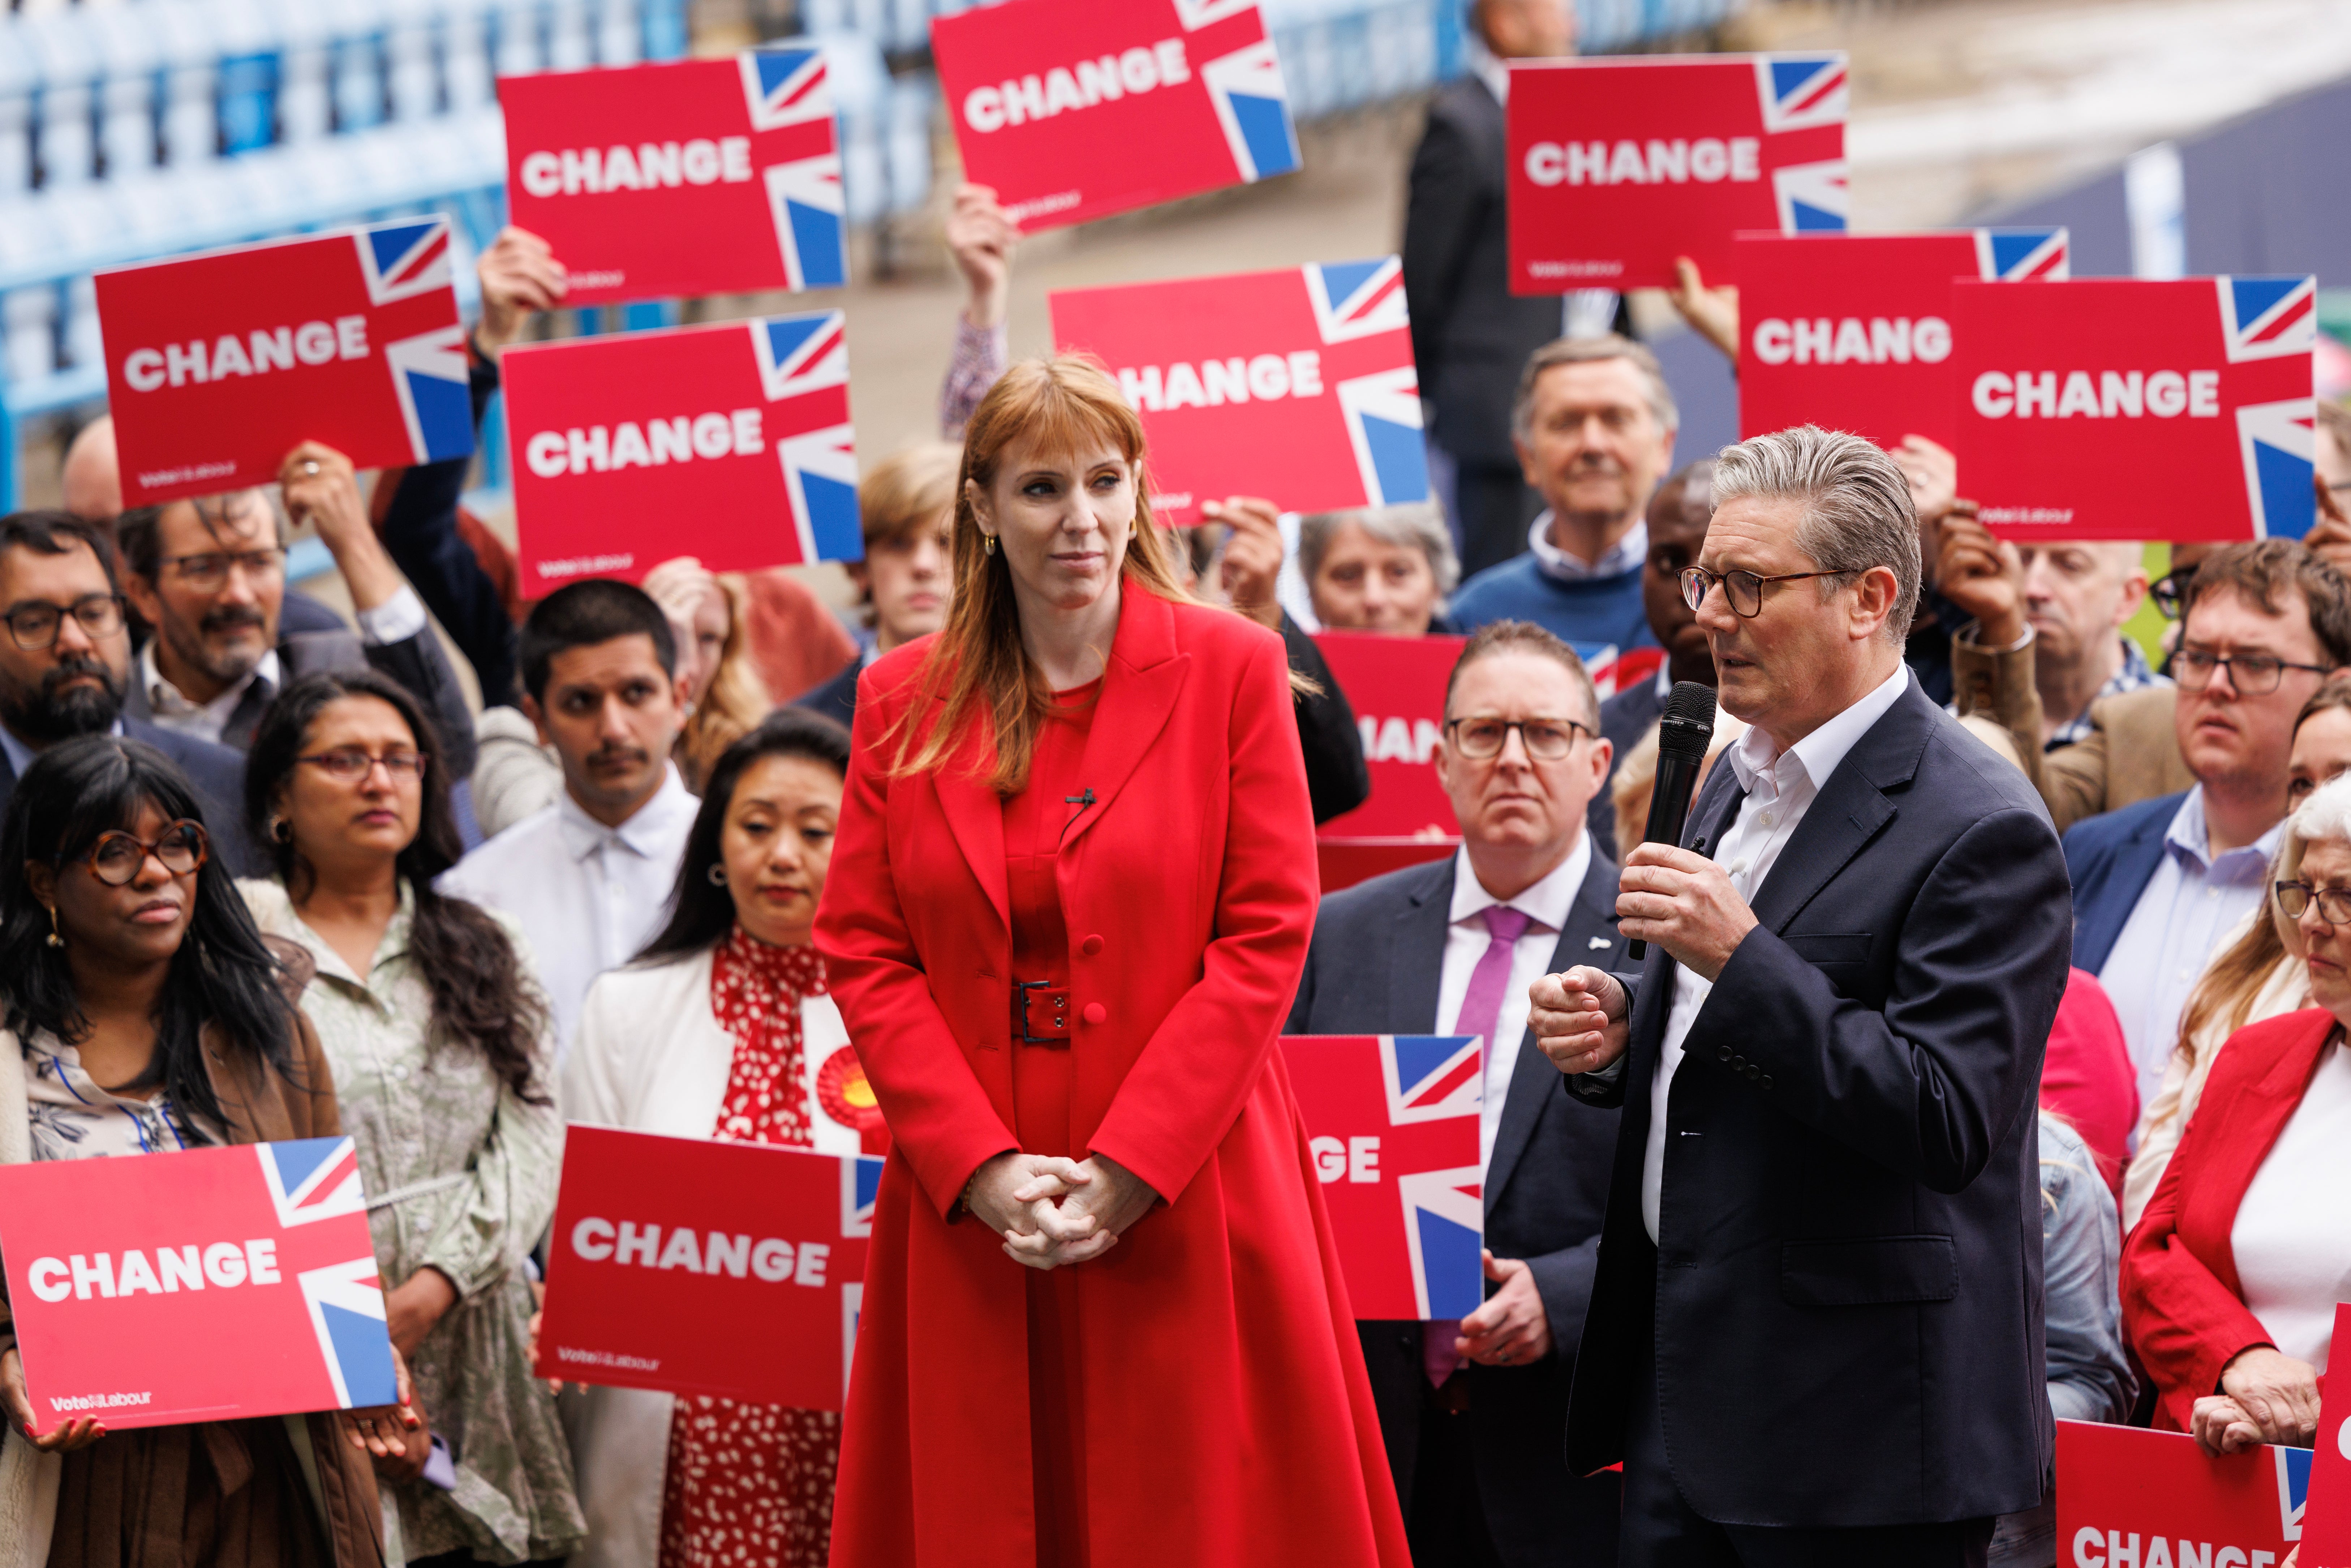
x=1934 y=1083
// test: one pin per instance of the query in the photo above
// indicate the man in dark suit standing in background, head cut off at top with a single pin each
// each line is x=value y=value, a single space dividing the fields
x=1471 y=333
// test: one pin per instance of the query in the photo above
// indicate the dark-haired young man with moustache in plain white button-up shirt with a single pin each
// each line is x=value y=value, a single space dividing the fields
x=591 y=876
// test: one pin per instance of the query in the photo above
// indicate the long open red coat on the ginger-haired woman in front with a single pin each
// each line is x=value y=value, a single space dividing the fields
x=1228 y=1419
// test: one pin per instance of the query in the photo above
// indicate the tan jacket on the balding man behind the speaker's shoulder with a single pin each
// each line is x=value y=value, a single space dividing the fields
x=2129 y=756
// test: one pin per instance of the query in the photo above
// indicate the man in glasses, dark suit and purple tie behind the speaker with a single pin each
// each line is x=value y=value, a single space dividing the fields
x=1478 y=1454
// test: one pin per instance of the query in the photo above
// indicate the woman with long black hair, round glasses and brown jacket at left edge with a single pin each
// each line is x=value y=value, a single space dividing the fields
x=145 y=1012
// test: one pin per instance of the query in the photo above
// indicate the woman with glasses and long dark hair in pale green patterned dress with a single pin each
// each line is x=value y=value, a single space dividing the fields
x=446 y=1059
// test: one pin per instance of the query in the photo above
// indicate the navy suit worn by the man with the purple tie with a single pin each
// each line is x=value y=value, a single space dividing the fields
x=1374 y=970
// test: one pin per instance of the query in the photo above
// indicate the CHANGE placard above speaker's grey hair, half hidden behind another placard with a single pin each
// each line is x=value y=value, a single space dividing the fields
x=1854 y=333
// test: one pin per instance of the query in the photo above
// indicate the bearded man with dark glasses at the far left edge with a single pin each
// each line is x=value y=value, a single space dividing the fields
x=65 y=662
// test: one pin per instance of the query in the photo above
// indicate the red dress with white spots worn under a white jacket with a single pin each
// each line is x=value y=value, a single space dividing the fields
x=751 y=1487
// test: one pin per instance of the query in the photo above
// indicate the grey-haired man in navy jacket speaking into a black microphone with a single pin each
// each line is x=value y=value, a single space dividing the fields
x=1816 y=1334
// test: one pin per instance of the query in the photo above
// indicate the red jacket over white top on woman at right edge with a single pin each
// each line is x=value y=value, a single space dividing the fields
x=2183 y=1304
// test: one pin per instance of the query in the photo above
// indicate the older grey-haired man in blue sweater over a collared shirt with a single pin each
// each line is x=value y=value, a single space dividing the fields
x=1595 y=431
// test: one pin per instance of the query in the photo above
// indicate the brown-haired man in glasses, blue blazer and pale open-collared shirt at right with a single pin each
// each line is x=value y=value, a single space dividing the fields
x=2159 y=885
